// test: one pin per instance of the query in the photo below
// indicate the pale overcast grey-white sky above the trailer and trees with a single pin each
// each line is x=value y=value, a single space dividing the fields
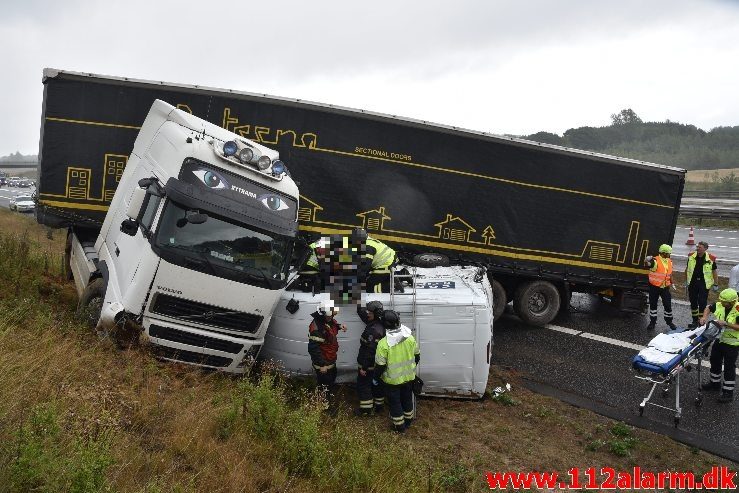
x=506 y=67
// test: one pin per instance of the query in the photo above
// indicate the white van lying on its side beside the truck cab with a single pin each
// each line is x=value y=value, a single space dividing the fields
x=449 y=309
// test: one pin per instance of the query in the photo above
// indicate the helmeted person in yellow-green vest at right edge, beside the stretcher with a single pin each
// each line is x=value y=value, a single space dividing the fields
x=725 y=350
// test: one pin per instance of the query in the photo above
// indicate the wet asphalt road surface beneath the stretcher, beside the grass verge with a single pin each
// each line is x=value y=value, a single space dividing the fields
x=584 y=357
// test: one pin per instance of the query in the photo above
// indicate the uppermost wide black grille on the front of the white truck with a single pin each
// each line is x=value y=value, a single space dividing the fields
x=201 y=313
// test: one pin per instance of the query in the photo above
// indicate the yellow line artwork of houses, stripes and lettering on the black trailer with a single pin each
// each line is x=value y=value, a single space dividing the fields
x=449 y=232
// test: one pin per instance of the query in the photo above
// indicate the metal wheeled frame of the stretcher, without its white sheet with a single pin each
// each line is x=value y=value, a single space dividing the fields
x=666 y=373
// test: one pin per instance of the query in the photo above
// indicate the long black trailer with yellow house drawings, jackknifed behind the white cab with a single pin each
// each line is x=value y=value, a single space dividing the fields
x=545 y=220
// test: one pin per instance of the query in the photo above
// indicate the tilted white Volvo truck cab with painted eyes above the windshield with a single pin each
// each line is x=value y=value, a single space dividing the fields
x=196 y=245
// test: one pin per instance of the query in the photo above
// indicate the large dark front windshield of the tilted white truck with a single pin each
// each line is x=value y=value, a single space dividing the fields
x=222 y=248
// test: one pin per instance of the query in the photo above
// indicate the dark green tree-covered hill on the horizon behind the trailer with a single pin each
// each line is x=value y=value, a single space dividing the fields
x=669 y=143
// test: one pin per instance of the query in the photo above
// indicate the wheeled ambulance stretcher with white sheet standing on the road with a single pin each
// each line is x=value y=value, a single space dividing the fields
x=667 y=356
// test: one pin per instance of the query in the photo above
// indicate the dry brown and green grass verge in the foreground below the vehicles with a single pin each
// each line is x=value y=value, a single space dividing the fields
x=76 y=414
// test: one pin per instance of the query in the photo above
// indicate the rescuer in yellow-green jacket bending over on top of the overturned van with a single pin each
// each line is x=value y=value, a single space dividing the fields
x=374 y=262
